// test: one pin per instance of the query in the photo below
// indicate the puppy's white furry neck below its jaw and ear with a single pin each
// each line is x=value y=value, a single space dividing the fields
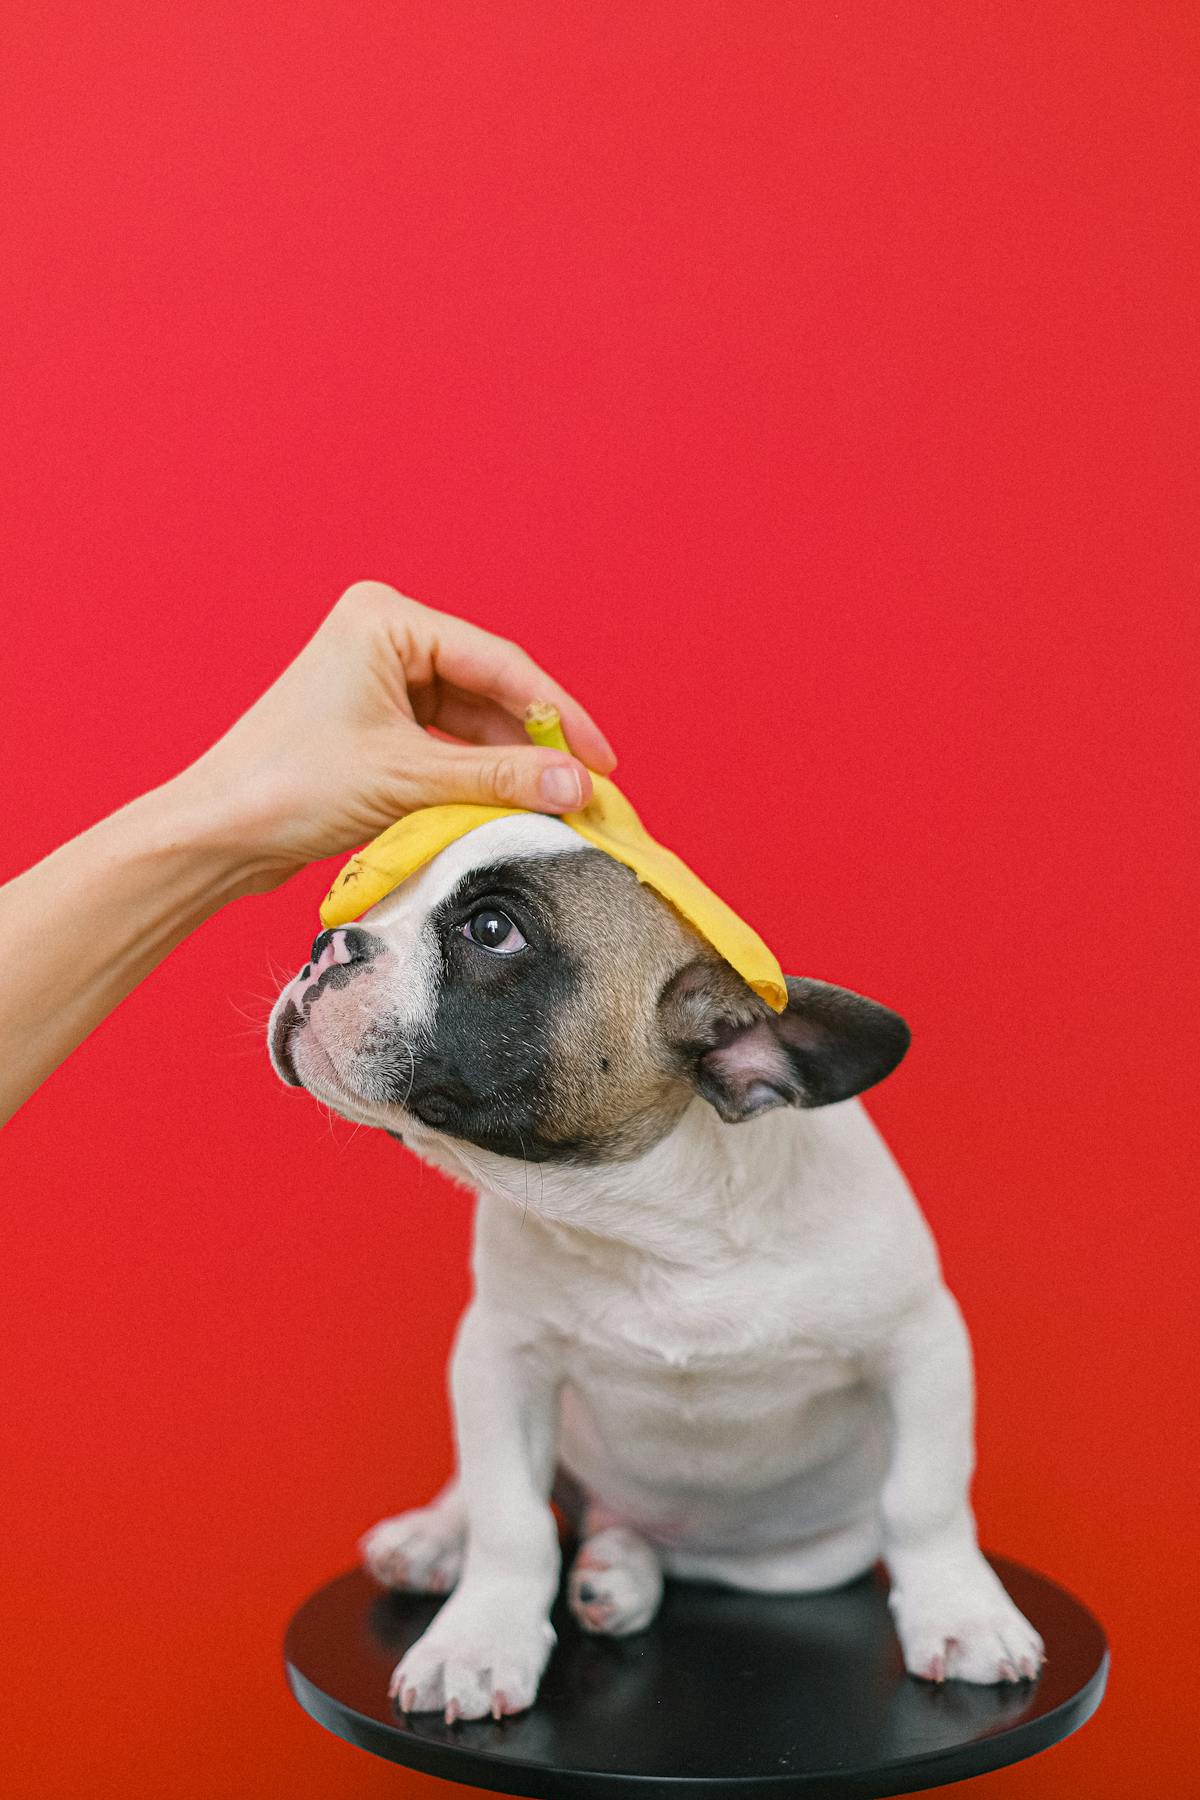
x=704 y=1191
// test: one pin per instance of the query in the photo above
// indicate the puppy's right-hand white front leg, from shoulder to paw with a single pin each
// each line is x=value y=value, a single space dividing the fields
x=953 y=1615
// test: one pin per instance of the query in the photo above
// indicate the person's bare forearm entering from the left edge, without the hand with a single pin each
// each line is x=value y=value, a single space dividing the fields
x=89 y=922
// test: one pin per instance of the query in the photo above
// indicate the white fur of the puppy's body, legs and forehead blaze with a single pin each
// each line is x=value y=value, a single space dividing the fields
x=739 y=1342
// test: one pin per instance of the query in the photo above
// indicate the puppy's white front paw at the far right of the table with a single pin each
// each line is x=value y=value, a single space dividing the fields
x=967 y=1630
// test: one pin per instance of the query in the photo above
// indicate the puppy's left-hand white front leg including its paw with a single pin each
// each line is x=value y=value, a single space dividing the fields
x=488 y=1646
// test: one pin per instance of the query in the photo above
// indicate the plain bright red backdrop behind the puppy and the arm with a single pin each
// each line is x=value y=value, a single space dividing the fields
x=807 y=388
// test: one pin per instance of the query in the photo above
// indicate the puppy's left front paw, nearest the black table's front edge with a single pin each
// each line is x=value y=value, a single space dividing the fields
x=474 y=1662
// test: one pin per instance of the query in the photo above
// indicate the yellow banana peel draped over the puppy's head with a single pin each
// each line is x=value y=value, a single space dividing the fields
x=607 y=822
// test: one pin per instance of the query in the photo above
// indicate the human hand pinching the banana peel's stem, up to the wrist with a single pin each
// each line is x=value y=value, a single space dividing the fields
x=337 y=750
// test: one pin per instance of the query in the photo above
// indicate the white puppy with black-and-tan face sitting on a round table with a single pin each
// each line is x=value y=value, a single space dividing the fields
x=731 y=1338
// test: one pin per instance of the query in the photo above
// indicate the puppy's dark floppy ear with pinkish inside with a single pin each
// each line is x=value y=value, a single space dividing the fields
x=744 y=1057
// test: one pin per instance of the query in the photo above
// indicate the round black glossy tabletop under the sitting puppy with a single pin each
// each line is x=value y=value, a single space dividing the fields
x=728 y=1695
